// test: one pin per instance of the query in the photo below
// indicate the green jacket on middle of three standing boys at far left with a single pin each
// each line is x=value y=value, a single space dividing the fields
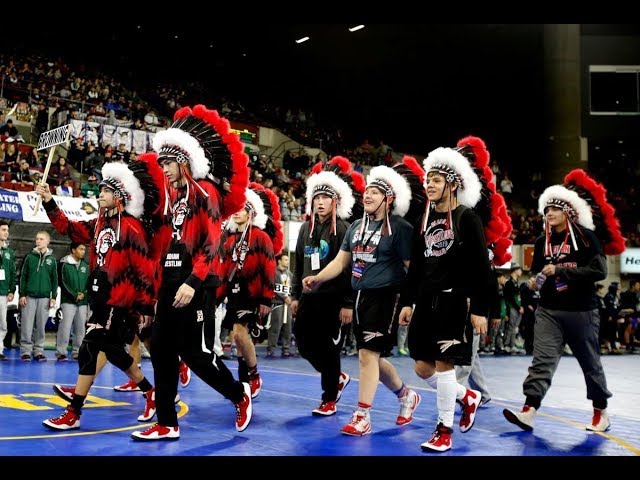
x=39 y=276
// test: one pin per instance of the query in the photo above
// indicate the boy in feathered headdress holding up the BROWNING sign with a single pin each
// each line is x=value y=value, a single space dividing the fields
x=123 y=281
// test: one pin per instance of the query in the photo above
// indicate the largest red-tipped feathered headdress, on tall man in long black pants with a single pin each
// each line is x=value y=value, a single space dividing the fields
x=202 y=139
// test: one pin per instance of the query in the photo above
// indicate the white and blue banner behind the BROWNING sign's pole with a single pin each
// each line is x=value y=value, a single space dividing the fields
x=77 y=209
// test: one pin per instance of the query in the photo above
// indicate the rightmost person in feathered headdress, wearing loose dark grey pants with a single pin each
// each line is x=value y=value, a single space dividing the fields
x=580 y=229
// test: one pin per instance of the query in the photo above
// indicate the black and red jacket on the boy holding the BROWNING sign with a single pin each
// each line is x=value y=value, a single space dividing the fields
x=123 y=270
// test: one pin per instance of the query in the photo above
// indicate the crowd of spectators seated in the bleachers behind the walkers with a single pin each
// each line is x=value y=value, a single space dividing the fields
x=78 y=94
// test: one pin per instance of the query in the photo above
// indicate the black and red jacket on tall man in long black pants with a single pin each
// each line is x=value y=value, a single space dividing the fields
x=196 y=228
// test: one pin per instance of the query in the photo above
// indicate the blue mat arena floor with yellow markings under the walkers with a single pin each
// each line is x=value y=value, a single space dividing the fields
x=282 y=424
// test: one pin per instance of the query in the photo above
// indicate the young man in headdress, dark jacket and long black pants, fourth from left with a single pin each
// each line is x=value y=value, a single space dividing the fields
x=320 y=315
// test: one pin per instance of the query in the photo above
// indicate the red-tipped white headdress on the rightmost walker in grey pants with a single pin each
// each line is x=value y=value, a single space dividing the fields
x=584 y=201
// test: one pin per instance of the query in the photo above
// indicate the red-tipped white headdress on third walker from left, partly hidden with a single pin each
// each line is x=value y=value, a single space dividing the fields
x=264 y=213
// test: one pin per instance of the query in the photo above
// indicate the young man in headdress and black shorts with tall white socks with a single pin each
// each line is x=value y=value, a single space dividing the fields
x=442 y=303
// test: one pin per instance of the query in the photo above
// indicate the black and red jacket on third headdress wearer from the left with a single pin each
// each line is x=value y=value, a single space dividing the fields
x=250 y=282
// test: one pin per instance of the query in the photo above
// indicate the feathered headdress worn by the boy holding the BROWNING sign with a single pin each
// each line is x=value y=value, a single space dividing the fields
x=138 y=189
